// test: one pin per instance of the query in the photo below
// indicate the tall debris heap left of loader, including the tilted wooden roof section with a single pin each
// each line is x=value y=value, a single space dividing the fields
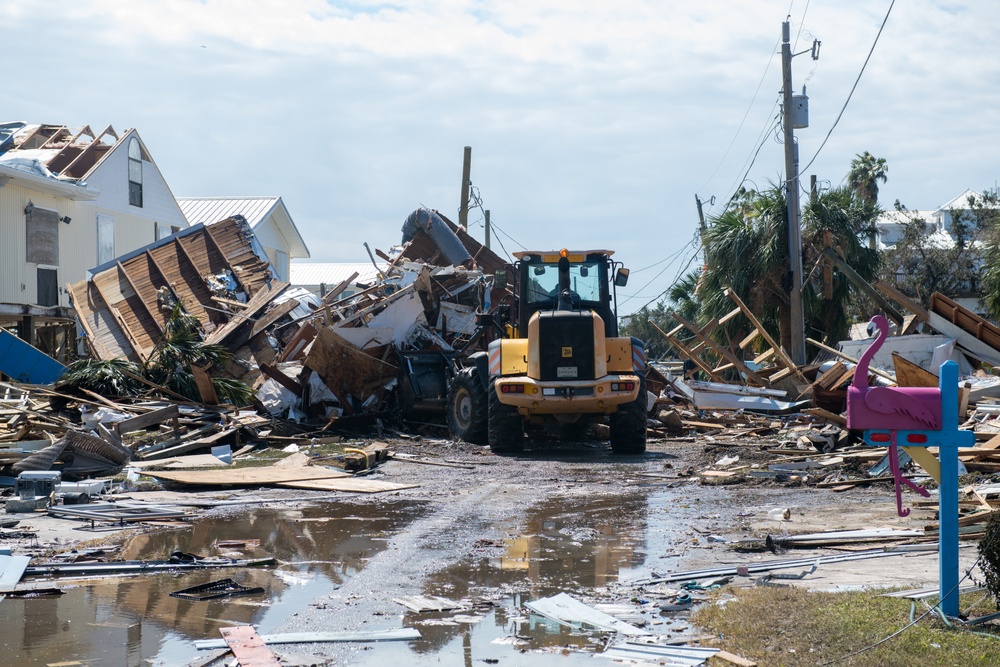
x=302 y=356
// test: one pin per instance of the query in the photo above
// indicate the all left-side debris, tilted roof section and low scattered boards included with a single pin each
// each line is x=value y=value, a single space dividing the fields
x=303 y=357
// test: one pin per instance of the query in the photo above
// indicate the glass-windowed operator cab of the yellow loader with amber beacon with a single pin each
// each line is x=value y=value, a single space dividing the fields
x=567 y=280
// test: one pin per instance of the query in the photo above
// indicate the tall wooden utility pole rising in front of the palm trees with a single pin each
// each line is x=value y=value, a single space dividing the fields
x=798 y=351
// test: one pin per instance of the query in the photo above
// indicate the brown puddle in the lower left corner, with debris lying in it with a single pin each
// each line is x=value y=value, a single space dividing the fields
x=134 y=622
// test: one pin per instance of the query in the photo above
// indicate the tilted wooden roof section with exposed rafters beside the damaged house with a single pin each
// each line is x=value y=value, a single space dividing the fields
x=126 y=303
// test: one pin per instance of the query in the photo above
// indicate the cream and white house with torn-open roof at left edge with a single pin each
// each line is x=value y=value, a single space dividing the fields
x=70 y=199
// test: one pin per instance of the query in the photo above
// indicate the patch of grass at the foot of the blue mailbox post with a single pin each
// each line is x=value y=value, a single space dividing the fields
x=788 y=627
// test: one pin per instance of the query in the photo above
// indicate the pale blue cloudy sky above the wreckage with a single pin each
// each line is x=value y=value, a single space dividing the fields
x=592 y=124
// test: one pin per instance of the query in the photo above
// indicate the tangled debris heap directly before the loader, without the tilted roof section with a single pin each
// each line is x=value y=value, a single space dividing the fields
x=384 y=345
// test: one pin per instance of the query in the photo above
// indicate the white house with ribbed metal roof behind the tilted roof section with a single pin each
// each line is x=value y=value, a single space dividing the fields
x=268 y=218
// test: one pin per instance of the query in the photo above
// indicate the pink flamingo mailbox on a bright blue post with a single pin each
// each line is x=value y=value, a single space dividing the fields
x=916 y=417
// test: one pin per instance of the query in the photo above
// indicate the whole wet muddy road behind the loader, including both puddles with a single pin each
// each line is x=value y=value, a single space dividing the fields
x=492 y=532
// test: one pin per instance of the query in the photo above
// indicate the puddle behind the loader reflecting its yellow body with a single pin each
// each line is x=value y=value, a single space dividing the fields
x=566 y=545
